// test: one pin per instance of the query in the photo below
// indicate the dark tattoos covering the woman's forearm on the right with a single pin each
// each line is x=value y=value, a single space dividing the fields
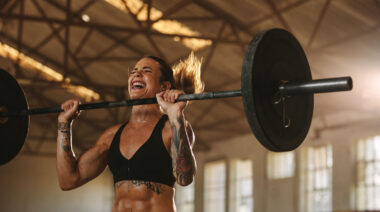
x=183 y=159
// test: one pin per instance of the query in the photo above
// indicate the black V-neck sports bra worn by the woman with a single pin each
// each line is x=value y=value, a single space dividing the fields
x=151 y=162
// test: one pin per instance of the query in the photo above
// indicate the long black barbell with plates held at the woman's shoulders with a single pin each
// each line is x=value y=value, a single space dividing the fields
x=277 y=91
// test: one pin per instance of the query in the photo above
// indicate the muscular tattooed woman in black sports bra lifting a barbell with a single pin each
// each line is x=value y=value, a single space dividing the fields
x=148 y=153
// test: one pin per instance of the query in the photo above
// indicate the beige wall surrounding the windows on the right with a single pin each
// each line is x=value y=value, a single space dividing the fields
x=283 y=195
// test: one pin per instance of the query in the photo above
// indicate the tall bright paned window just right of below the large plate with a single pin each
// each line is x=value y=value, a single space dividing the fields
x=316 y=177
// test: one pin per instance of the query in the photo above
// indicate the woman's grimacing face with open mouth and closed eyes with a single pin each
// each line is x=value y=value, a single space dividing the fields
x=144 y=80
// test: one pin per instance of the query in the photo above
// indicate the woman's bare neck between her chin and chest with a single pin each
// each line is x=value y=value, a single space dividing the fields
x=145 y=113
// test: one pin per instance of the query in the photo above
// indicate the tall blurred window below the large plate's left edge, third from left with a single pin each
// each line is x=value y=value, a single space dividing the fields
x=241 y=186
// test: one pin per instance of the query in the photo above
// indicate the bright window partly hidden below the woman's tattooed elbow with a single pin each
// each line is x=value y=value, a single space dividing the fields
x=184 y=198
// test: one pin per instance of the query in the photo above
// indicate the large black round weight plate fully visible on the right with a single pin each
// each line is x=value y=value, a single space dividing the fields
x=272 y=56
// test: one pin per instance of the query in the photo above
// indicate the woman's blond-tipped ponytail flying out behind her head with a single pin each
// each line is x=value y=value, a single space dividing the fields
x=186 y=75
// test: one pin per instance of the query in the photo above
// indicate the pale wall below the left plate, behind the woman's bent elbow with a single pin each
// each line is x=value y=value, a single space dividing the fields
x=30 y=184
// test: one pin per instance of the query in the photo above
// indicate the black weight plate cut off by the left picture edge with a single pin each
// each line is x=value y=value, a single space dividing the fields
x=13 y=132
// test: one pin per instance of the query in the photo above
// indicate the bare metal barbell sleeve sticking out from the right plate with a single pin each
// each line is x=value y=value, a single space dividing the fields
x=317 y=86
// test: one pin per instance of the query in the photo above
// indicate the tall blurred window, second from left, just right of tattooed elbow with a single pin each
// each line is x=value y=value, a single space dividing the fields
x=215 y=186
